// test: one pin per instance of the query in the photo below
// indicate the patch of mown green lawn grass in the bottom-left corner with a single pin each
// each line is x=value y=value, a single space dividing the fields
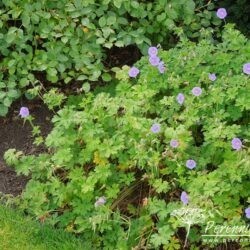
x=21 y=232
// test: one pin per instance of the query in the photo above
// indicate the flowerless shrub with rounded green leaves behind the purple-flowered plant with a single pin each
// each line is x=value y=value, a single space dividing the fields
x=63 y=41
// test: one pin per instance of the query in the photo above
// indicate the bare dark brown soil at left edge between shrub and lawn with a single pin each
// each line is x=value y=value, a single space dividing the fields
x=14 y=133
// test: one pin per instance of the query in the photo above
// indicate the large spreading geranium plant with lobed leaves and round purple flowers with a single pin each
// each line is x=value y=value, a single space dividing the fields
x=112 y=172
